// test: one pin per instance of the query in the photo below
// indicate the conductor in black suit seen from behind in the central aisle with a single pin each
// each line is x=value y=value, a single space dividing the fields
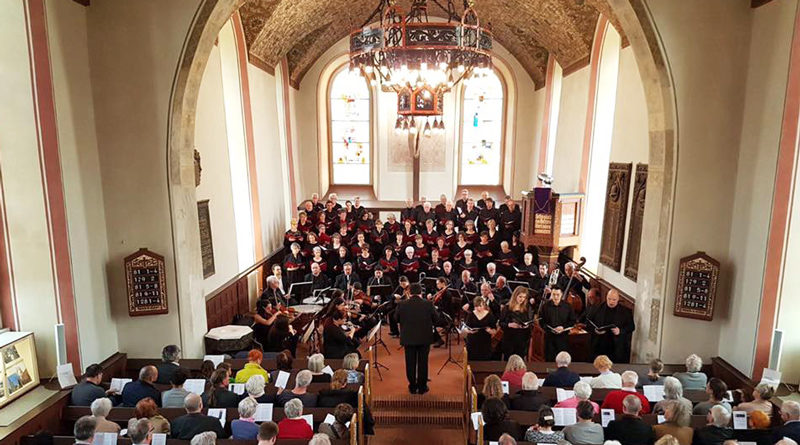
x=416 y=318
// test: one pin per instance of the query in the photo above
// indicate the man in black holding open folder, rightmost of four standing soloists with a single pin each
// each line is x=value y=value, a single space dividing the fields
x=616 y=329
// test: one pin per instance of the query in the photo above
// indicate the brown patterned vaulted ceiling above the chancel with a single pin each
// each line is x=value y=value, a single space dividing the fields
x=302 y=30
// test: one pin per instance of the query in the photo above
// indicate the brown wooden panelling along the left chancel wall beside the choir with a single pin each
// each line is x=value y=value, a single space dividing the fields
x=233 y=297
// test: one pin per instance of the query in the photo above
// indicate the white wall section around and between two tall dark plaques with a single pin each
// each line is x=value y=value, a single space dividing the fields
x=630 y=144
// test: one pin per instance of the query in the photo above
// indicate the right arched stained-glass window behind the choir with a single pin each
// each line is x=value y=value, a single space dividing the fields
x=482 y=127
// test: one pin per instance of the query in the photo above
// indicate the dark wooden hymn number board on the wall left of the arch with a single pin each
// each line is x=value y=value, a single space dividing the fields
x=146 y=278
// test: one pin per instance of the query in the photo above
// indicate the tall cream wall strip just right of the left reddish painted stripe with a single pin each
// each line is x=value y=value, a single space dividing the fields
x=80 y=168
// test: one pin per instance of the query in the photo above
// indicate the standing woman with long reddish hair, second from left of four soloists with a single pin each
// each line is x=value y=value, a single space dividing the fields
x=516 y=321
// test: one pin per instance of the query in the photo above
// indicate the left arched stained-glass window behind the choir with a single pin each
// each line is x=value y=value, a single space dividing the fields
x=349 y=130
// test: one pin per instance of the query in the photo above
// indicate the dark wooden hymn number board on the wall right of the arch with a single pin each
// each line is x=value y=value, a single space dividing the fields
x=697 y=287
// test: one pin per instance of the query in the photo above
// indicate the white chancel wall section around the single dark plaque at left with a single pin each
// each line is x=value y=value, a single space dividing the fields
x=211 y=140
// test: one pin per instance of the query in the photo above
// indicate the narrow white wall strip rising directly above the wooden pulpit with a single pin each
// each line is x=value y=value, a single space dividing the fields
x=569 y=136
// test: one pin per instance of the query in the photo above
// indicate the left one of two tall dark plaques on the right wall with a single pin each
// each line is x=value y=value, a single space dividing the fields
x=619 y=179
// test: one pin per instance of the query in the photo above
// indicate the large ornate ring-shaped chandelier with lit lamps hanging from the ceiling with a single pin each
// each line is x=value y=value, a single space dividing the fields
x=418 y=59
